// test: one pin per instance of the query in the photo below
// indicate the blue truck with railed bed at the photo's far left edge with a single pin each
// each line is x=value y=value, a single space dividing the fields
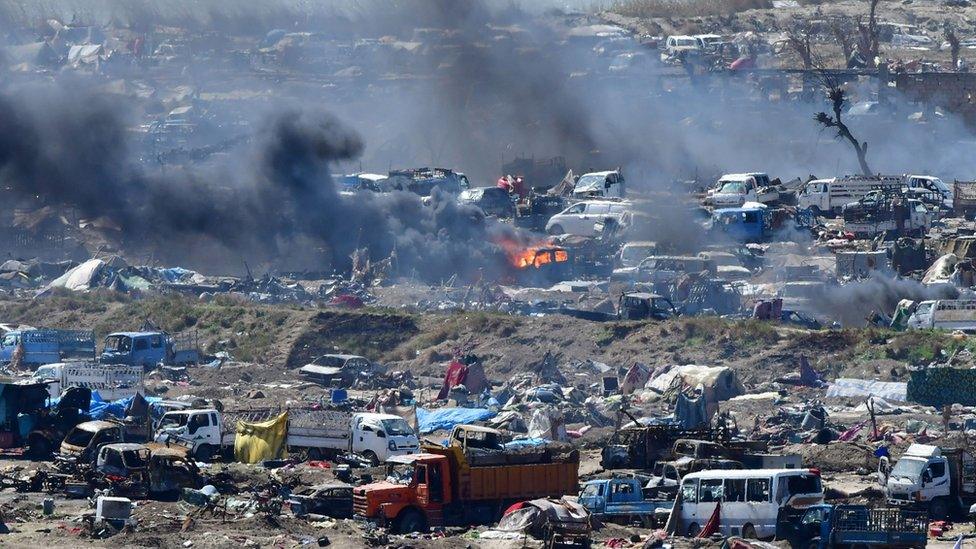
x=47 y=346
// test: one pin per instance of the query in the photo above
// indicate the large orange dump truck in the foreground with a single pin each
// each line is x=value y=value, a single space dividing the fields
x=444 y=488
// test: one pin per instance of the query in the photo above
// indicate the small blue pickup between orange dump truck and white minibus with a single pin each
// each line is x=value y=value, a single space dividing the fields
x=622 y=500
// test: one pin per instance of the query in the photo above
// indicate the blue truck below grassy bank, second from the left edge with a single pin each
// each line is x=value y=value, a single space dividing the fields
x=147 y=349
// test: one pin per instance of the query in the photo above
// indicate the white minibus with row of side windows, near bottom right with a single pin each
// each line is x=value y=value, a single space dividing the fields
x=751 y=499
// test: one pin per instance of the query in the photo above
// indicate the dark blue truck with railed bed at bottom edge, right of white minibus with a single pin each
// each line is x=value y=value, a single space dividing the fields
x=829 y=526
